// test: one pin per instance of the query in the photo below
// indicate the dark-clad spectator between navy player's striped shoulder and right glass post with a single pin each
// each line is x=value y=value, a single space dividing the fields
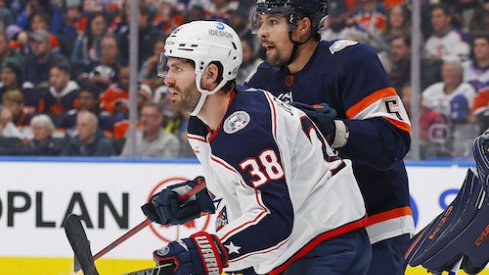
x=400 y=59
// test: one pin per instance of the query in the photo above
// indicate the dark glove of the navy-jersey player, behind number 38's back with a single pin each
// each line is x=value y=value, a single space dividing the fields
x=323 y=116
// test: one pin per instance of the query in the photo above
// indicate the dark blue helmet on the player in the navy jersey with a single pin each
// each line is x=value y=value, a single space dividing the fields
x=293 y=10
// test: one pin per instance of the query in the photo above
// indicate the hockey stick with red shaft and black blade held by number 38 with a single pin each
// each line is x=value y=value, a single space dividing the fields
x=81 y=245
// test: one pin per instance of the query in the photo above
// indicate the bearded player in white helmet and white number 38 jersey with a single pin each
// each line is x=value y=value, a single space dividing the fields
x=285 y=203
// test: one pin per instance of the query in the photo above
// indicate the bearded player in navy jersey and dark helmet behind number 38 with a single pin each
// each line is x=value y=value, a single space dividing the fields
x=363 y=118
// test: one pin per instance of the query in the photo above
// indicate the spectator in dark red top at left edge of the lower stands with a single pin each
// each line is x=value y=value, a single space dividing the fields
x=14 y=102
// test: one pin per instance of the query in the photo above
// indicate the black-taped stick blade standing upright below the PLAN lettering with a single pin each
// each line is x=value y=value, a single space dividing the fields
x=80 y=244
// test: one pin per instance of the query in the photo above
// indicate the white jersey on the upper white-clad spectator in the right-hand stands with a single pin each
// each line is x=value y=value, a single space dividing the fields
x=449 y=46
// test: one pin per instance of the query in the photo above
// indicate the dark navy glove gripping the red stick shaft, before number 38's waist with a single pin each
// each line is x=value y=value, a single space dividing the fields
x=165 y=208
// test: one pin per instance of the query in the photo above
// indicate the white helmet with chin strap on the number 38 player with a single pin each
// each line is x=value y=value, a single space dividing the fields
x=204 y=42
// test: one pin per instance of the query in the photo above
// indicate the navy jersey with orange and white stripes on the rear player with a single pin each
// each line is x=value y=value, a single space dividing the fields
x=349 y=77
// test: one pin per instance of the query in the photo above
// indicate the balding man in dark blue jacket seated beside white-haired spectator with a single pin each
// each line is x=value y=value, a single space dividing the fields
x=89 y=141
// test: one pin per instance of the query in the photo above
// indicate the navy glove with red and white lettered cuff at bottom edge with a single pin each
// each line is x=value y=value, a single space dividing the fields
x=200 y=254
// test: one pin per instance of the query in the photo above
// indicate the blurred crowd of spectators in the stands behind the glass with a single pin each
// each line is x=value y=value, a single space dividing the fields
x=64 y=77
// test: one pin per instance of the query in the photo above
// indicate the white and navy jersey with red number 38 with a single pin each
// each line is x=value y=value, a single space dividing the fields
x=279 y=189
